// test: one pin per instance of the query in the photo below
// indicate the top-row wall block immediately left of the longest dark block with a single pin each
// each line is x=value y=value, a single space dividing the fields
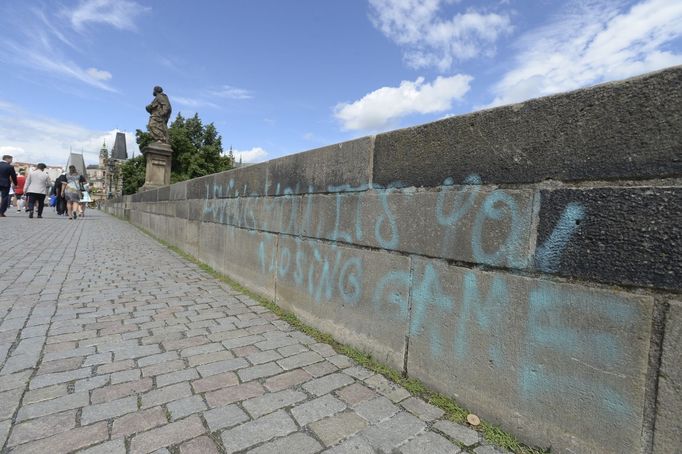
x=327 y=169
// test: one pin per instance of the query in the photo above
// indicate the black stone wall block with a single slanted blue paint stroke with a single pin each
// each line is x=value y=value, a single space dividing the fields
x=626 y=236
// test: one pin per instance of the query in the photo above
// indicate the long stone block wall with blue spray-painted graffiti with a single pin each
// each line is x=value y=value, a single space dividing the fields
x=526 y=260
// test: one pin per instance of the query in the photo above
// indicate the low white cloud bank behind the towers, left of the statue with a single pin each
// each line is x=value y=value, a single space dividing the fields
x=35 y=139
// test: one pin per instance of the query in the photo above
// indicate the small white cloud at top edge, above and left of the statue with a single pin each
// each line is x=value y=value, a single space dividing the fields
x=119 y=14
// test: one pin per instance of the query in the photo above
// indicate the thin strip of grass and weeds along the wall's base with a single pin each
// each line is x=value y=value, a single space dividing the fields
x=453 y=411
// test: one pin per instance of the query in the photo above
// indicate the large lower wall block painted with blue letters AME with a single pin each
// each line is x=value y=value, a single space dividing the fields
x=568 y=361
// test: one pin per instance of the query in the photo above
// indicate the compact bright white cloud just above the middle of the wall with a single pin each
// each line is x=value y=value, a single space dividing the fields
x=379 y=108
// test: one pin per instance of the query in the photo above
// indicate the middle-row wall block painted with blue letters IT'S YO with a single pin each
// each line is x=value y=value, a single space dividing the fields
x=469 y=223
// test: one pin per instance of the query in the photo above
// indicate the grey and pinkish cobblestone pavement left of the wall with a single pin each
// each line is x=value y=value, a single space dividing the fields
x=110 y=343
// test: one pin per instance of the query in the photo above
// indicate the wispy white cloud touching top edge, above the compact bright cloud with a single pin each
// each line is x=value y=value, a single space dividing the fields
x=430 y=40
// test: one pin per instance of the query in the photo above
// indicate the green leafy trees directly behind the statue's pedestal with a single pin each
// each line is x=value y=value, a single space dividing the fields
x=197 y=151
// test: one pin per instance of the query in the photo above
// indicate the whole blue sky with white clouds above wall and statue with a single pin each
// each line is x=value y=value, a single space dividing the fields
x=279 y=77
